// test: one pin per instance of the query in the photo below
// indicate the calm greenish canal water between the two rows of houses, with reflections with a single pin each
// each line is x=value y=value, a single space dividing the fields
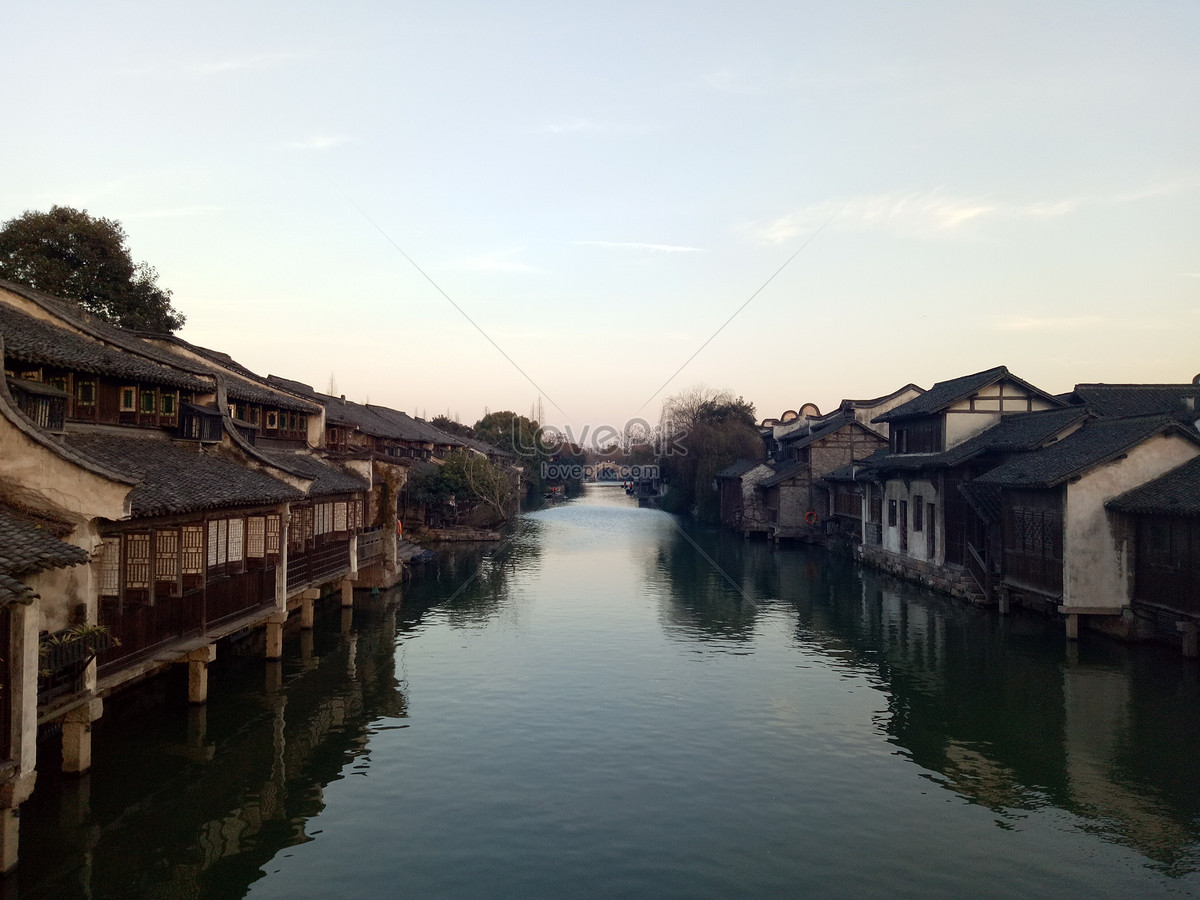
x=601 y=710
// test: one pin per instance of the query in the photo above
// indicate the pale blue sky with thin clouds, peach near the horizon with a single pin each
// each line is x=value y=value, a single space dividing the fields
x=455 y=207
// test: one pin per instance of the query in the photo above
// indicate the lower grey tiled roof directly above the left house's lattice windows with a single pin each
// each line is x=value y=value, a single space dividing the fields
x=175 y=478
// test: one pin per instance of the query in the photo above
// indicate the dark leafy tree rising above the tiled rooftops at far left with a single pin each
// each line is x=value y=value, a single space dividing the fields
x=79 y=257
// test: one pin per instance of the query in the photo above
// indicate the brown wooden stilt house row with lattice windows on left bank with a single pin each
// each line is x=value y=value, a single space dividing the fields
x=157 y=500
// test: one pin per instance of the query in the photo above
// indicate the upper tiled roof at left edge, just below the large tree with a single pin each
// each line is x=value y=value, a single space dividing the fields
x=39 y=343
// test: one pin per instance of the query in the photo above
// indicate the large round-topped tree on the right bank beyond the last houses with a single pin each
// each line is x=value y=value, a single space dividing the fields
x=713 y=429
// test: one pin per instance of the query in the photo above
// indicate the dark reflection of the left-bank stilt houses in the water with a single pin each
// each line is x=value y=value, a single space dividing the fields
x=196 y=803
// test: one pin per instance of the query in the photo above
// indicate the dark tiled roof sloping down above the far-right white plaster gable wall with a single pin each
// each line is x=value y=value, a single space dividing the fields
x=1099 y=442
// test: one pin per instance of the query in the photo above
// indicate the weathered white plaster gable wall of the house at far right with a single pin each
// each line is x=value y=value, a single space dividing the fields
x=1096 y=563
